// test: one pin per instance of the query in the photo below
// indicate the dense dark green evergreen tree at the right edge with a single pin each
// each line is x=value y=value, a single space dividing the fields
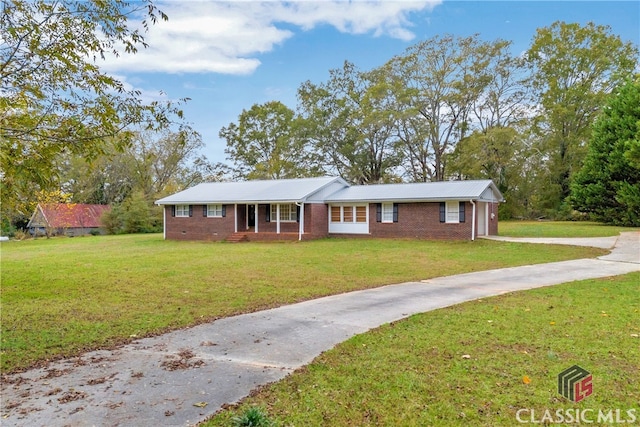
x=608 y=185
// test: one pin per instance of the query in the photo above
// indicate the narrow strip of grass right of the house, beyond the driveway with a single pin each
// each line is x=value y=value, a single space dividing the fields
x=558 y=229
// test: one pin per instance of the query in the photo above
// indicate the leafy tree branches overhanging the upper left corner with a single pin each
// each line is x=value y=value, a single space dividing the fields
x=53 y=97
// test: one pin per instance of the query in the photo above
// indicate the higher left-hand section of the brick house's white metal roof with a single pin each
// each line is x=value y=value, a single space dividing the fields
x=267 y=191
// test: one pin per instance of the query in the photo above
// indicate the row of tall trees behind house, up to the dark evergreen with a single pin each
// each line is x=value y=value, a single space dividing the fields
x=448 y=108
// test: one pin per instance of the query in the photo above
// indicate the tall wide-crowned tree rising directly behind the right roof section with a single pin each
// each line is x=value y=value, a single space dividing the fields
x=437 y=82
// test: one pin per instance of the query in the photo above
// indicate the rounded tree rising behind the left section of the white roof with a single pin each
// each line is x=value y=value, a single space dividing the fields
x=264 y=144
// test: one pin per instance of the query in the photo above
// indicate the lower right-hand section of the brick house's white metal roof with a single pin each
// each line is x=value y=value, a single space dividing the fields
x=415 y=192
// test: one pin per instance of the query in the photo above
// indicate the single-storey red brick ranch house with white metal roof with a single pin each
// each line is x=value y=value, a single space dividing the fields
x=311 y=208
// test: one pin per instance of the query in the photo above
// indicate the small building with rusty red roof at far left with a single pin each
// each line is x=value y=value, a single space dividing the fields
x=71 y=219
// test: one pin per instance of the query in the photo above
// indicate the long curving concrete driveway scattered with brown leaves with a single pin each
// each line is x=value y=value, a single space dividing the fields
x=182 y=377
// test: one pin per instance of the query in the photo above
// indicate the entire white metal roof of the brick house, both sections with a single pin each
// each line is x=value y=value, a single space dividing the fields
x=298 y=190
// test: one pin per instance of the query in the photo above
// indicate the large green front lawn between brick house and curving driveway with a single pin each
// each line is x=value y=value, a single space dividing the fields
x=63 y=296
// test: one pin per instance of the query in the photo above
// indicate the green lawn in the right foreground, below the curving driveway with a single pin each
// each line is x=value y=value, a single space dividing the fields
x=473 y=364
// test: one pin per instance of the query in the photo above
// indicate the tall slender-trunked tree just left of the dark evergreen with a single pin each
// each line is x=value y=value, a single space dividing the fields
x=573 y=70
